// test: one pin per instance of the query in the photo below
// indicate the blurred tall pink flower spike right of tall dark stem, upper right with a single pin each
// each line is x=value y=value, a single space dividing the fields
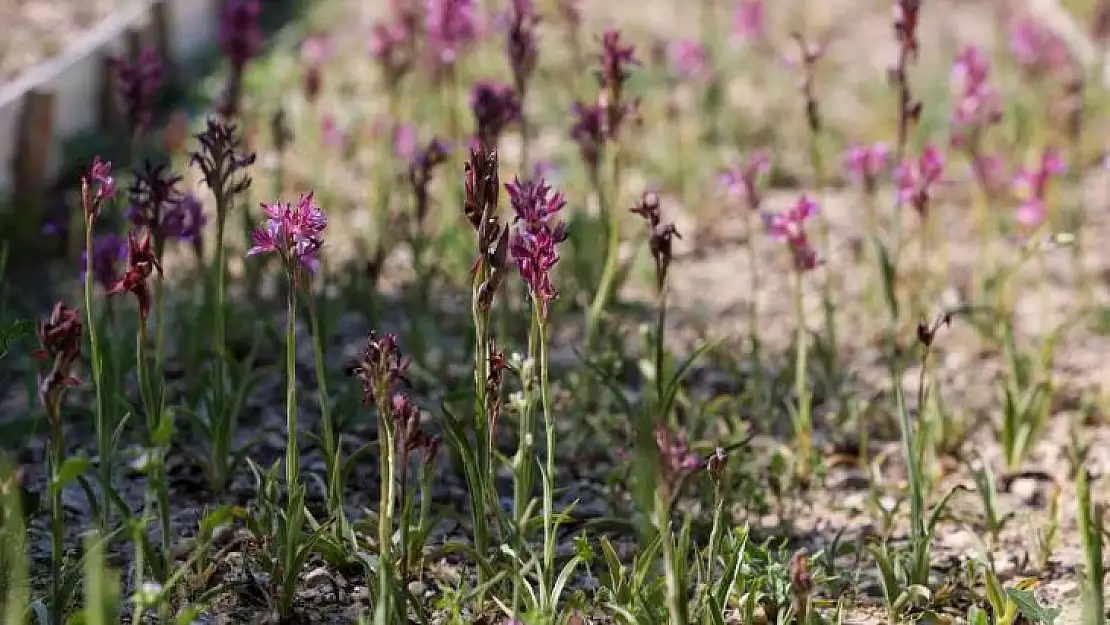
x=978 y=103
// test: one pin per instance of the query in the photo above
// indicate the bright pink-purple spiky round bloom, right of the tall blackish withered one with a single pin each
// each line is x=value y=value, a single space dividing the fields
x=294 y=233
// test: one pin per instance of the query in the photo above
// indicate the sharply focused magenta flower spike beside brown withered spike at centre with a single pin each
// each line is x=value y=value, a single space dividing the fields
x=539 y=233
